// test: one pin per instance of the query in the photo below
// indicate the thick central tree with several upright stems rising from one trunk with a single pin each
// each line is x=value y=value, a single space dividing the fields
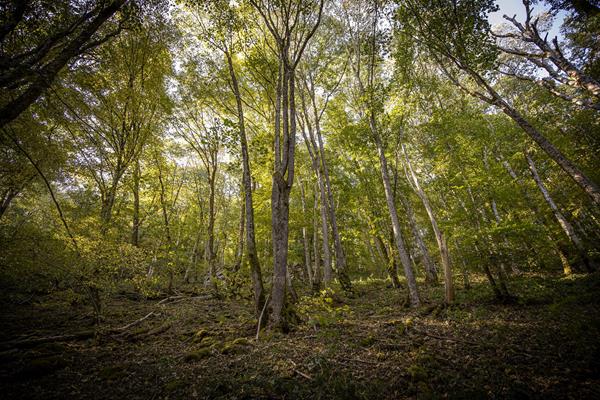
x=291 y=25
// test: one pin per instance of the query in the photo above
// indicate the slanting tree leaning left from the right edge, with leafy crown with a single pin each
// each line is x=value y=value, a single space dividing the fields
x=470 y=50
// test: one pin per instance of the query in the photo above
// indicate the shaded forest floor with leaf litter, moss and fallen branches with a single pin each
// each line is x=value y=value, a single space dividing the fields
x=545 y=345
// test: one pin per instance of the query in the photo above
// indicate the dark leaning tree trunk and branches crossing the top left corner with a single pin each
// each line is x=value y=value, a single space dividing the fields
x=28 y=67
